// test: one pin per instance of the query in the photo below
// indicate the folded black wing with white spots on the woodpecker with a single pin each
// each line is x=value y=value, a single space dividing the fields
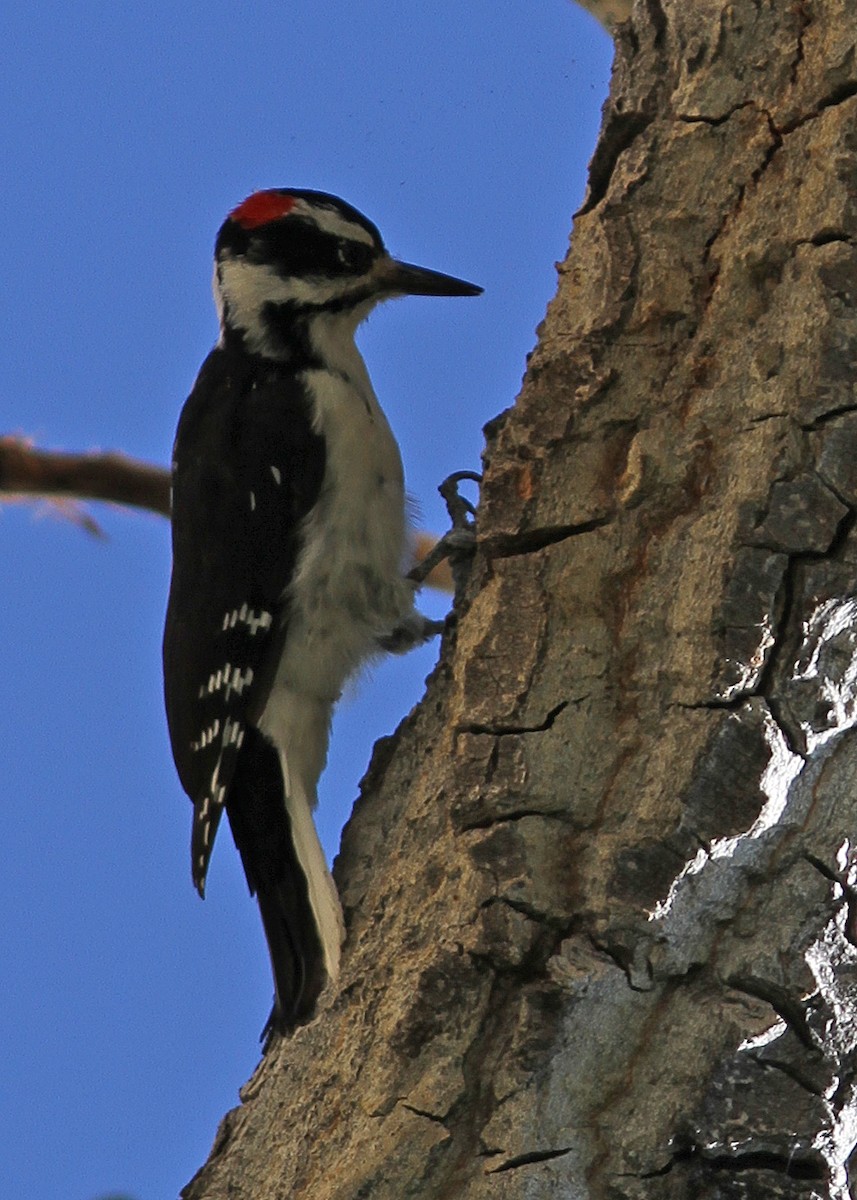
x=248 y=469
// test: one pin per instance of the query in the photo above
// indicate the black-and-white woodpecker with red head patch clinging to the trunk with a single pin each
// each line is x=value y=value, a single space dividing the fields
x=290 y=541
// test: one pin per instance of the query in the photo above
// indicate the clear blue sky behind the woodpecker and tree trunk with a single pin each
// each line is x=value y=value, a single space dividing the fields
x=131 y=1011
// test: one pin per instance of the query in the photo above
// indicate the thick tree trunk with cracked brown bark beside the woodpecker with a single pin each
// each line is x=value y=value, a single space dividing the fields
x=600 y=887
